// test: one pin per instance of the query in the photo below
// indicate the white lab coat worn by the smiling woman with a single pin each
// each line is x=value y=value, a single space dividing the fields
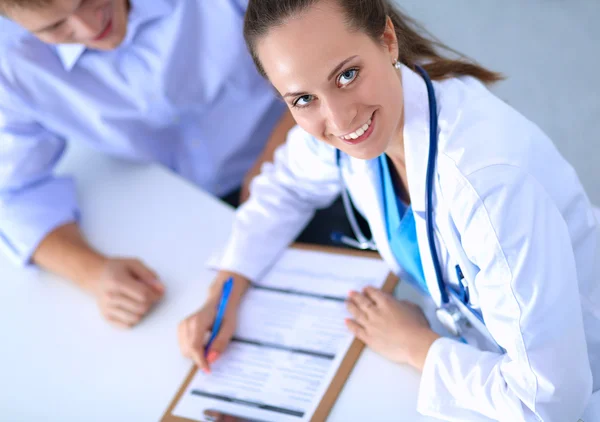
x=507 y=208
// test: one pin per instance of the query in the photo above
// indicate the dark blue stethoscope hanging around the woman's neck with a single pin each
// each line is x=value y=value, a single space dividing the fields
x=454 y=312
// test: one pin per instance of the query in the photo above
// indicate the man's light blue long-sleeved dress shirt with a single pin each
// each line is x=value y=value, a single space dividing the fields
x=181 y=91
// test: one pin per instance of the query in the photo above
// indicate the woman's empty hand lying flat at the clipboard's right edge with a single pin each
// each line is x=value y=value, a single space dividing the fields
x=397 y=330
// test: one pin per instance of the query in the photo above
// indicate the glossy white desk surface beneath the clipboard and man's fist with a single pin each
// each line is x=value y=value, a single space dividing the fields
x=59 y=360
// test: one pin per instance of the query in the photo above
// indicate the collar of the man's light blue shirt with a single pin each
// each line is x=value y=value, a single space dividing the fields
x=142 y=11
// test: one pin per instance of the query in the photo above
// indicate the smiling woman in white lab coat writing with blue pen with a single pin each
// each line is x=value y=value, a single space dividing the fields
x=465 y=198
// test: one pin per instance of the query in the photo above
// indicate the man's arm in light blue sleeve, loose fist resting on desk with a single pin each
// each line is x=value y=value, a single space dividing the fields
x=38 y=212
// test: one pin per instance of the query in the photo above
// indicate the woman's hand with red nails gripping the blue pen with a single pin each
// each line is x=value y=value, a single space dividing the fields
x=195 y=330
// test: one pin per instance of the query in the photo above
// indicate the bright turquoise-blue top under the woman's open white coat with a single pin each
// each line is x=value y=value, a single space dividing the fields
x=401 y=230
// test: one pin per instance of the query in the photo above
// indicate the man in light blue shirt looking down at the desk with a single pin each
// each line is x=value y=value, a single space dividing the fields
x=165 y=81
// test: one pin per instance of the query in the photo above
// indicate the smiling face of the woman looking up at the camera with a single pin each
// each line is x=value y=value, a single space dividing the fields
x=340 y=85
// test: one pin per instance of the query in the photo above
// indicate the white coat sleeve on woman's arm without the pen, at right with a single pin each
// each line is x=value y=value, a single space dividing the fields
x=528 y=290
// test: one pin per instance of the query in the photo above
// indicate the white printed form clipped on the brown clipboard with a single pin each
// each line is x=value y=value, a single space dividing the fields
x=289 y=343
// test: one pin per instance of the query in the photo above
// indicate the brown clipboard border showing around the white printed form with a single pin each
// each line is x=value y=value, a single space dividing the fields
x=346 y=367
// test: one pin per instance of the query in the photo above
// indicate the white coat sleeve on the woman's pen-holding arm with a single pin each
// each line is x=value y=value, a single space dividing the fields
x=283 y=198
